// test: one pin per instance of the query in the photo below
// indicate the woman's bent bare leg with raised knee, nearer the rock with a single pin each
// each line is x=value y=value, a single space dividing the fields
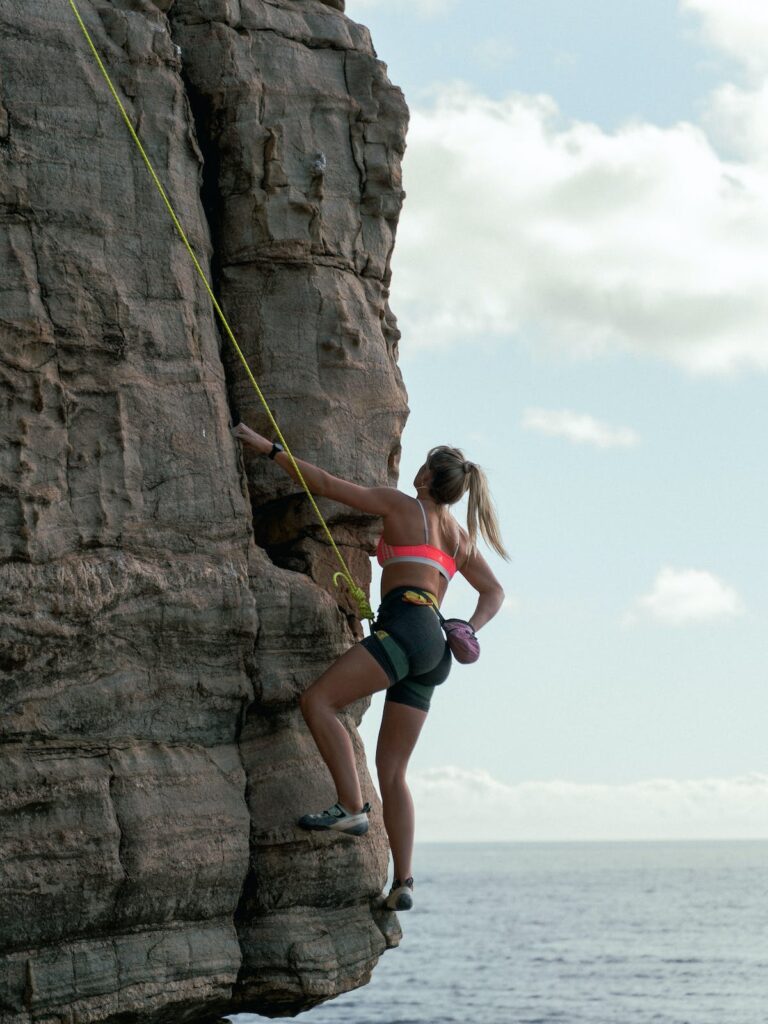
x=357 y=674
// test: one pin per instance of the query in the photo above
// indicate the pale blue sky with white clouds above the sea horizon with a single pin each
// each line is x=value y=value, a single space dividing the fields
x=582 y=285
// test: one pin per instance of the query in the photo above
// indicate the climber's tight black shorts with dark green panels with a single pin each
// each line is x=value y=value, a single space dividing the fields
x=409 y=644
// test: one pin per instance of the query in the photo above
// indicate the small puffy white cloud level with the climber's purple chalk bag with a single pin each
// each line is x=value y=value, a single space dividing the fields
x=681 y=596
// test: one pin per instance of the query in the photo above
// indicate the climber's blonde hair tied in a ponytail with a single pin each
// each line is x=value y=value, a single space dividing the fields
x=453 y=476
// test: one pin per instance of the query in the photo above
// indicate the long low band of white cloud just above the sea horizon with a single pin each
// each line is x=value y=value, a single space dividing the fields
x=454 y=804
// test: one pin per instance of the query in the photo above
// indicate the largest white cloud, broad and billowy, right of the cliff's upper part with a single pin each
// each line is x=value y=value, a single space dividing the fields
x=520 y=226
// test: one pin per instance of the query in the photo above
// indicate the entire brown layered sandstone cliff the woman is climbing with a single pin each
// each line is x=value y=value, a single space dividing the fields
x=164 y=599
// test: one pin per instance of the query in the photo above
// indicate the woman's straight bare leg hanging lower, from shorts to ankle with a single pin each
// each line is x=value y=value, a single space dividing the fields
x=401 y=727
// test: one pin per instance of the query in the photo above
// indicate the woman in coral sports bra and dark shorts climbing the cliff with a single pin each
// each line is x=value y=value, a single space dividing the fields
x=407 y=654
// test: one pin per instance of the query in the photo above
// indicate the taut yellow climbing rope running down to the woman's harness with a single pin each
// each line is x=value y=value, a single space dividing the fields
x=358 y=592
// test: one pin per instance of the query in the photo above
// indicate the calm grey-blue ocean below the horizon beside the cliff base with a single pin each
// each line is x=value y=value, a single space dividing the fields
x=574 y=933
